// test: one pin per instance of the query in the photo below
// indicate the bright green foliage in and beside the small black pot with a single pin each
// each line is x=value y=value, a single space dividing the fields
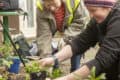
x=35 y=67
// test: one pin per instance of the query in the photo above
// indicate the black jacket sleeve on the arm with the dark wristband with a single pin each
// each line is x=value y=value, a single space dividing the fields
x=84 y=40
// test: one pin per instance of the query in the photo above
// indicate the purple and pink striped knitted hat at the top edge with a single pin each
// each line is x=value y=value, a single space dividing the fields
x=102 y=3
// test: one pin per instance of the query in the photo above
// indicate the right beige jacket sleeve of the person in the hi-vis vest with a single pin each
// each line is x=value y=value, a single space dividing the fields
x=81 y=17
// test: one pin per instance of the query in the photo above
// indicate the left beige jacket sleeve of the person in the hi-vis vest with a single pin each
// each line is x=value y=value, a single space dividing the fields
x=44 y=34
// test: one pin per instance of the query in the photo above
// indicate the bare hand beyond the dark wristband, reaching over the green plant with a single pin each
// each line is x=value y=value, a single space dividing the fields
x=46 y=62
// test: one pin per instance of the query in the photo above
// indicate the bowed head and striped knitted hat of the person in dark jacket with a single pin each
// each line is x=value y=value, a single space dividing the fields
x=99 y=8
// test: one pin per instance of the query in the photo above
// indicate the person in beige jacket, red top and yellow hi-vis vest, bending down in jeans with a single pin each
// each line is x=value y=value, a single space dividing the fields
x=57 y=21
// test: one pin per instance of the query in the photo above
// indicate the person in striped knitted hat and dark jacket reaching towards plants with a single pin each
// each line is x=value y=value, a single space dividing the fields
x=103 y=28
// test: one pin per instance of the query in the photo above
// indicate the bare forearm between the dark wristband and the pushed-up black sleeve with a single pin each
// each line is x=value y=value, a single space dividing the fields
x=64 y=54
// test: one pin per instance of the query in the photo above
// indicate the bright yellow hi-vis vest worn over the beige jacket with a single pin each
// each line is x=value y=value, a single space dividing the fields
x=70 y=8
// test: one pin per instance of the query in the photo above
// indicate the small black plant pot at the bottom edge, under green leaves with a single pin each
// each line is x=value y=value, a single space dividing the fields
x=38 y=75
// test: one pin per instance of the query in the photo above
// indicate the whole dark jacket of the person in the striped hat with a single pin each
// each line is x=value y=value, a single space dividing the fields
x=107 y=34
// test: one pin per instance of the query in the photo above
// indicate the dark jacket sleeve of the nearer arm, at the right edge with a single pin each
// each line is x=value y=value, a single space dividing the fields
x=109 y=51
